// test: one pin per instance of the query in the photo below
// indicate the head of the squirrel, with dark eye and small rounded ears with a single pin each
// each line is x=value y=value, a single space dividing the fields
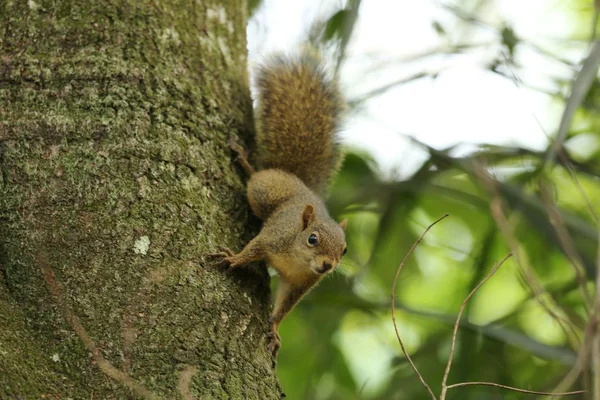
x=323 y=241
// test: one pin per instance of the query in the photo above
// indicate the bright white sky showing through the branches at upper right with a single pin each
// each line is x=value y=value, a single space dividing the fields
x=465 y=103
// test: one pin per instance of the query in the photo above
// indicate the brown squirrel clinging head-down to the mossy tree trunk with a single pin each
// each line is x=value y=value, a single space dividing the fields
x=298 y=153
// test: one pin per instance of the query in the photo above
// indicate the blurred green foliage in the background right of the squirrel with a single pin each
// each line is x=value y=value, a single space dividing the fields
x=525 y=327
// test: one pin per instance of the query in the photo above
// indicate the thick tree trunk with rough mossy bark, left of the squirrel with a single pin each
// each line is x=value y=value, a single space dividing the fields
x=115 y=183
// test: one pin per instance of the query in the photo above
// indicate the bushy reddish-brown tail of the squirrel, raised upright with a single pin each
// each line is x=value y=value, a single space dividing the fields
x=298 y=118
